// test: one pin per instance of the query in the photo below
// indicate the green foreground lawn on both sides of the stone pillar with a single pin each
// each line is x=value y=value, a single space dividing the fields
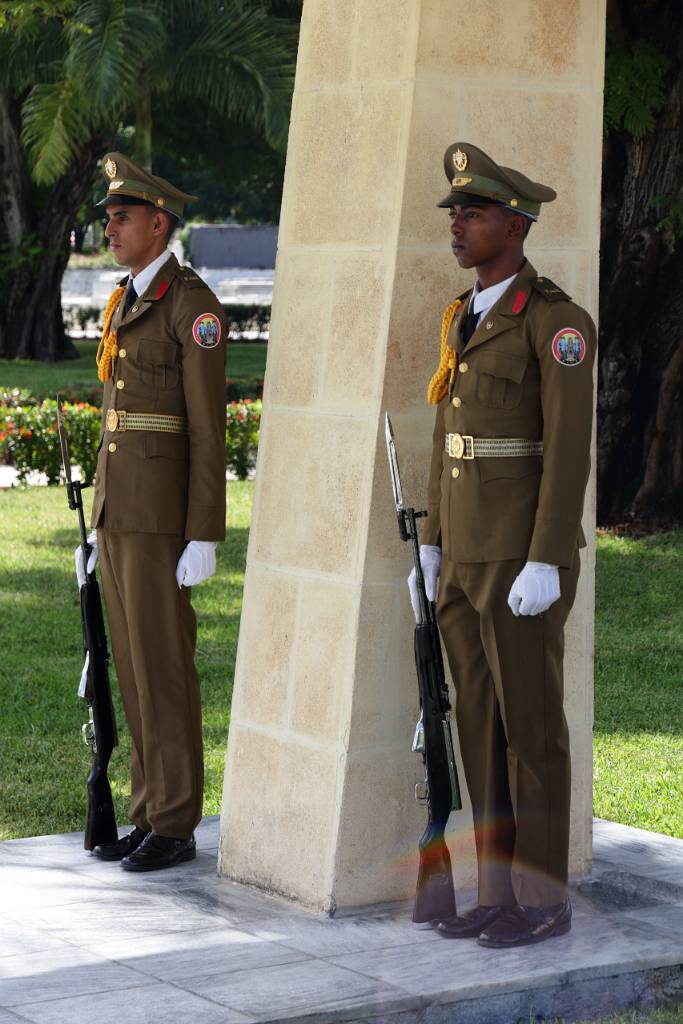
x=638 y=694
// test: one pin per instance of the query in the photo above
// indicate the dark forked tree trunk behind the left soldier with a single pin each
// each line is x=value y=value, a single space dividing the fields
x=35 y=226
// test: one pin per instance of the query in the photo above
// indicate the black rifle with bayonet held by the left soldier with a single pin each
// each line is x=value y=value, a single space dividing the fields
x=100 y=733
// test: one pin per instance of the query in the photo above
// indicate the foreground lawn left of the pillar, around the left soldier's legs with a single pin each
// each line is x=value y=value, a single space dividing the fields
x=44 y=761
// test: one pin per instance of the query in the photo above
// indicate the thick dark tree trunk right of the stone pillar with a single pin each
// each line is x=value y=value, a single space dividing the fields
x=641 y=430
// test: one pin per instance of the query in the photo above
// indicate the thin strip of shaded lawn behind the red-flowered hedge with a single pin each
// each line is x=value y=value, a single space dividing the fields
x=246 y=363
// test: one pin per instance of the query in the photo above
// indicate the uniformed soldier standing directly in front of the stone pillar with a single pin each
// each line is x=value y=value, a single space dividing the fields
x=510 y=463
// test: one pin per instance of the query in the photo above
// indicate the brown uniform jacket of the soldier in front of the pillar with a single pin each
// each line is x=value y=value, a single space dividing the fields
x=524 y=374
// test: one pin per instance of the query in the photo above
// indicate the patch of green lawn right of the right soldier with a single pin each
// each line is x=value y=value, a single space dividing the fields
x=638 y=731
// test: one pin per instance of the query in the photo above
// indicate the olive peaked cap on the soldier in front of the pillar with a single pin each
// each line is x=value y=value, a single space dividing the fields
x=476 y=180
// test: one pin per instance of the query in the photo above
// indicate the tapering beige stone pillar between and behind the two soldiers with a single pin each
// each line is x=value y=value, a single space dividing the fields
x=318 y=801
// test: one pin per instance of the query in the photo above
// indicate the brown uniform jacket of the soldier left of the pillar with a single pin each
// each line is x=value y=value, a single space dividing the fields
x=154 y=483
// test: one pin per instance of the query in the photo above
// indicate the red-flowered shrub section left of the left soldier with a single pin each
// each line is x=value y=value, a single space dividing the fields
x=29 y=439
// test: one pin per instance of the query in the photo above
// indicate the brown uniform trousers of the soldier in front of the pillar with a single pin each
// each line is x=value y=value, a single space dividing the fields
x=514 y=735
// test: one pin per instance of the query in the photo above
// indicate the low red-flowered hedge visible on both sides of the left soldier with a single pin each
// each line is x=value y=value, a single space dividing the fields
x=29 y=439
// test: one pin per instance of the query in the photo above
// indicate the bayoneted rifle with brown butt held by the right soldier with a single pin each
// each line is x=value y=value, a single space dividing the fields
x=435 y=897
